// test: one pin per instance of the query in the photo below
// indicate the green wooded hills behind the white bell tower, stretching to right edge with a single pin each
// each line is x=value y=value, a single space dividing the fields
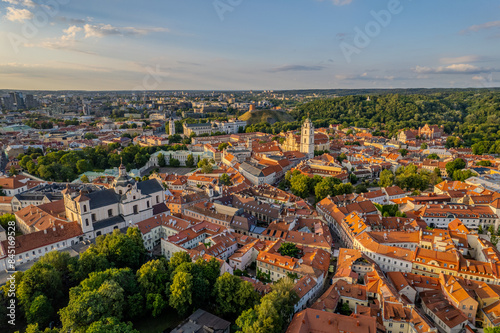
x=473 y=115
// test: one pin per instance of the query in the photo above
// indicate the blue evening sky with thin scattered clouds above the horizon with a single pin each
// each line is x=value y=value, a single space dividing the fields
x=248 y=44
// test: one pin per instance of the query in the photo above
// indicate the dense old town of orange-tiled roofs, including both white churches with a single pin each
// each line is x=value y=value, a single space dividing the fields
x=382 y=235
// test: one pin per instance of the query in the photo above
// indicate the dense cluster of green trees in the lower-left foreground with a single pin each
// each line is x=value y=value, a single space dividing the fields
x=115 y=286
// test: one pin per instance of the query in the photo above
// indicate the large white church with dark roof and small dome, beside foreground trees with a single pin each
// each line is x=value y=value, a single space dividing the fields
x=125 y=203
